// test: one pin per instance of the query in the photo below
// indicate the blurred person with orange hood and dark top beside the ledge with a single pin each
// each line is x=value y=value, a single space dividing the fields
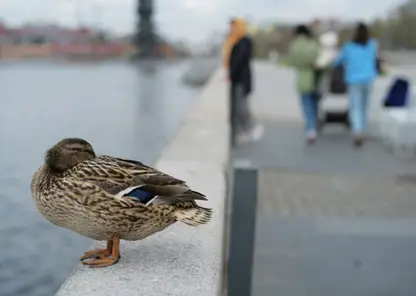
x=238 y=51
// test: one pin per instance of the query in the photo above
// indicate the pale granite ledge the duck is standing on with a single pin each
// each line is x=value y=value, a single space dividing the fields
x=181 y=260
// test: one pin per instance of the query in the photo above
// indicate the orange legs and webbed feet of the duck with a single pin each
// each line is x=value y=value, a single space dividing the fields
x=105 y=257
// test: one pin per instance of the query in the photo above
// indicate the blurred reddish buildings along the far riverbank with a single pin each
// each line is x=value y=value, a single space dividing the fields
x=43 y=40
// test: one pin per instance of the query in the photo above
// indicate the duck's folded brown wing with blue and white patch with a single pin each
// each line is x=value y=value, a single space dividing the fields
x=123 y=177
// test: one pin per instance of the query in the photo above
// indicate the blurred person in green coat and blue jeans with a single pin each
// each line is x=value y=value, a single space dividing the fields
x=302 y=55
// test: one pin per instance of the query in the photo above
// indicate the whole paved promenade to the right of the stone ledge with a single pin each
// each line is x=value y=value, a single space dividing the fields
x=331 y=220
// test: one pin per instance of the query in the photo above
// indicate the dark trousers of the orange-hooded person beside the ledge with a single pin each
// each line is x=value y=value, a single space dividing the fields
x=241 y=120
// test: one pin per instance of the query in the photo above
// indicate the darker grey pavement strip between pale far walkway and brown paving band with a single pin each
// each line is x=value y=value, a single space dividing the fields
x=284 y=146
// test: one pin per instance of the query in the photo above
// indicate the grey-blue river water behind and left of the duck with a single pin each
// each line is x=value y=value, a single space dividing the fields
x=122 y=109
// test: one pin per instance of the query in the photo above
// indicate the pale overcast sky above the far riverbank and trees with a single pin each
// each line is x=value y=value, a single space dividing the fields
x=189 y=19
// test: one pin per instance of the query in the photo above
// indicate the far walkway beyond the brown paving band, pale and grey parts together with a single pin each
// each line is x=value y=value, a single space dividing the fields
x=275 y=104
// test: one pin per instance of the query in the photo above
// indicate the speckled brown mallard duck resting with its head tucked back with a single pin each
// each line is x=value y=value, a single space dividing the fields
x=108 y=198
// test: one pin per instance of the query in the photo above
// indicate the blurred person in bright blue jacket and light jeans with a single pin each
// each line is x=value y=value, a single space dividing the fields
x=359 y=58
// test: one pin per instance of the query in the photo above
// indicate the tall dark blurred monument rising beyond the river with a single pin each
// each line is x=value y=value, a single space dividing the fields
x=145 y=39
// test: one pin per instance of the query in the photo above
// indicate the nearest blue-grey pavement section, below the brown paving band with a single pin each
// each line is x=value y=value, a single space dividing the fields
x=334 y=257
